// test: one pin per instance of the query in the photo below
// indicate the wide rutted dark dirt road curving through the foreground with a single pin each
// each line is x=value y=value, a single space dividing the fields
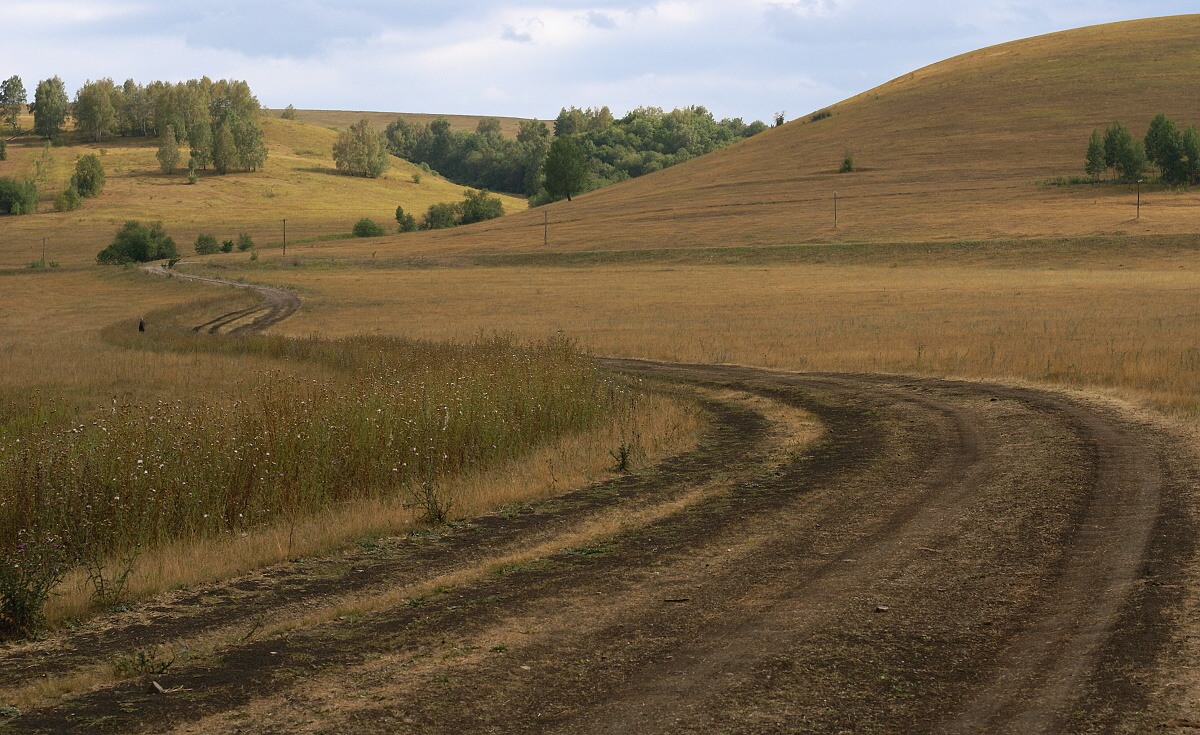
x=946 y=558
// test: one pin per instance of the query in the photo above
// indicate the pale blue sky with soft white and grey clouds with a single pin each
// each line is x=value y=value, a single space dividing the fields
x=529 y=58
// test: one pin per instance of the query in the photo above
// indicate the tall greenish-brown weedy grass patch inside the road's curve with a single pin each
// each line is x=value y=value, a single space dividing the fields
x=398 y=417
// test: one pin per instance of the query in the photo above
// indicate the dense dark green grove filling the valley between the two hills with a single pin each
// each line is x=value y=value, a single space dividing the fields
x=645 y=141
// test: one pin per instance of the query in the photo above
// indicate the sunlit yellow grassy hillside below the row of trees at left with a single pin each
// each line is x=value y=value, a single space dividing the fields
x=299 y=183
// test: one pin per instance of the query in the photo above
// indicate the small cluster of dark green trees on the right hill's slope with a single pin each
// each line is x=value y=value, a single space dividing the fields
x=1175 y=153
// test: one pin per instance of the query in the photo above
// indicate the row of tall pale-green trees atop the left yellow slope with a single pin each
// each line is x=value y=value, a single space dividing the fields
x=218 y=121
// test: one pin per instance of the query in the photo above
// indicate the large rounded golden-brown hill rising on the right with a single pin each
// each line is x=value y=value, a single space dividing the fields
x=955 y=151
